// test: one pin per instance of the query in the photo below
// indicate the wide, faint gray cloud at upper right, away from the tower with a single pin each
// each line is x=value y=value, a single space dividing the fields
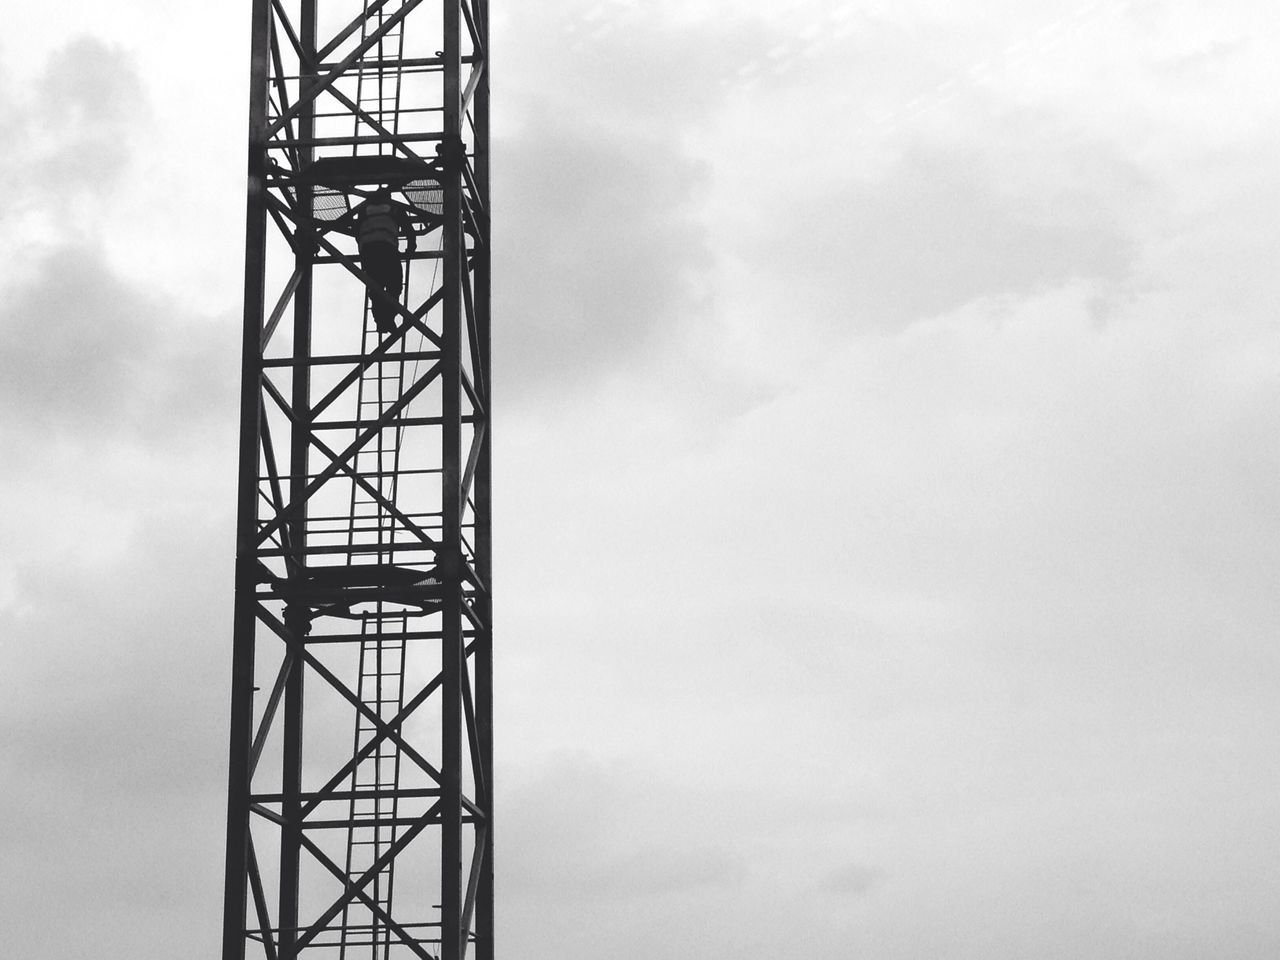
x=940 y=230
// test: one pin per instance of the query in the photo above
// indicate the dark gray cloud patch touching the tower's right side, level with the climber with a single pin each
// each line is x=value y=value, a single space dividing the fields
x=605 y=248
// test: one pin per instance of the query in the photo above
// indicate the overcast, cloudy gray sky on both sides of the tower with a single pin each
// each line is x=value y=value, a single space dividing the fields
x=888 y=477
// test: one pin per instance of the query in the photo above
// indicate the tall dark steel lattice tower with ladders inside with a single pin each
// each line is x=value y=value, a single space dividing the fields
x=360 y=819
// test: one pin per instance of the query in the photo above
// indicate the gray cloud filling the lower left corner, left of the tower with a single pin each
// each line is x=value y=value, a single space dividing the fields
x=113 y=746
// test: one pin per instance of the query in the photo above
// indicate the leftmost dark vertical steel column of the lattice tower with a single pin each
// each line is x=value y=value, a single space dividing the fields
x=245 y=619
